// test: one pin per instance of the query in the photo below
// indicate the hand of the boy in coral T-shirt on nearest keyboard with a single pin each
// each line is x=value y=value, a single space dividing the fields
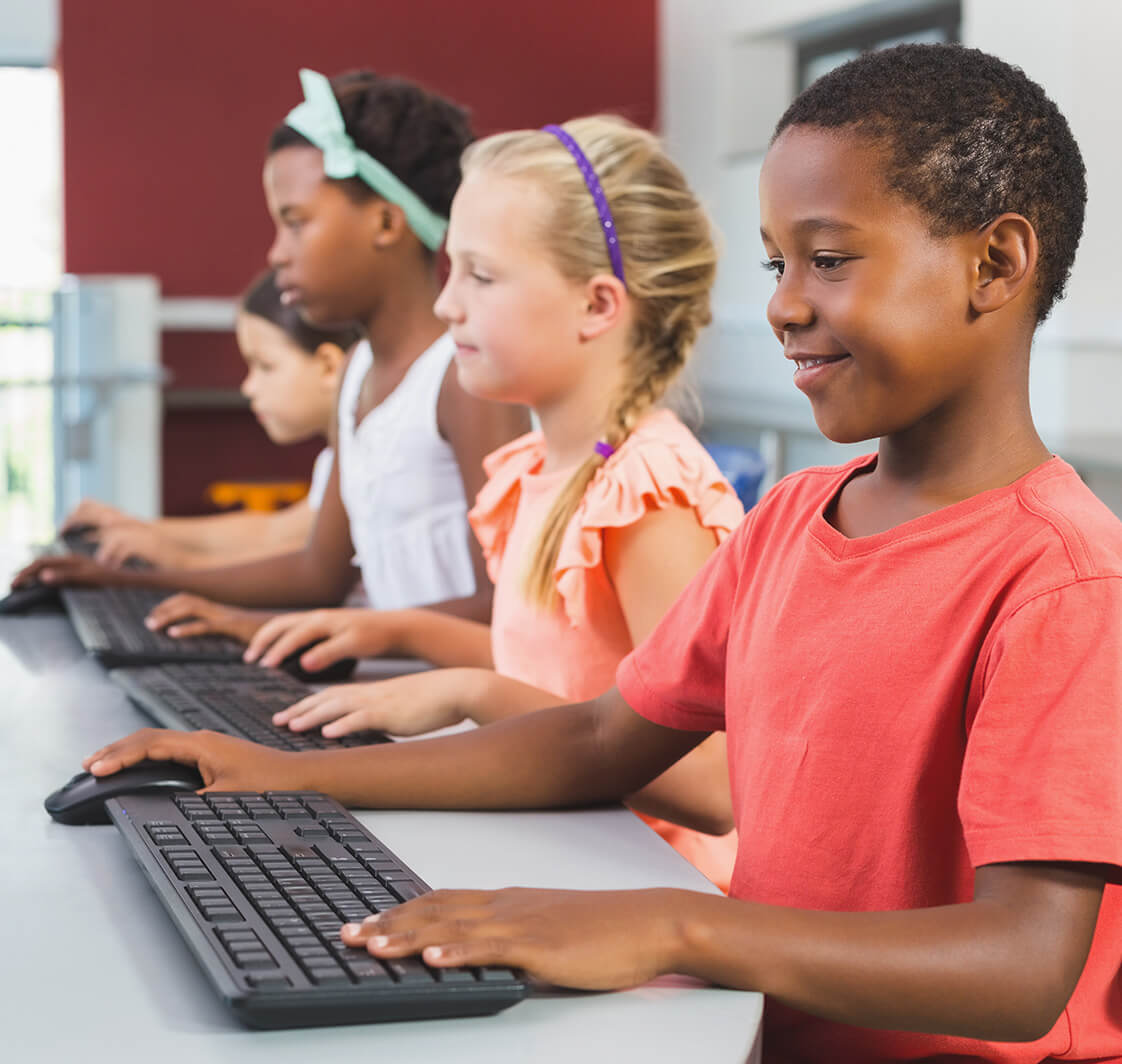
x=588 y=940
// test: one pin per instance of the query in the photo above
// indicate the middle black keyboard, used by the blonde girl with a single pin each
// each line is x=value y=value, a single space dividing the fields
x=235 y=699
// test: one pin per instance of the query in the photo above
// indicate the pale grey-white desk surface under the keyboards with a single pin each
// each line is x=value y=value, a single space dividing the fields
x=94 y=970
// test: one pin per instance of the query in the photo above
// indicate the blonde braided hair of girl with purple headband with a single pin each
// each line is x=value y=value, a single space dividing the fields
x=670 y=261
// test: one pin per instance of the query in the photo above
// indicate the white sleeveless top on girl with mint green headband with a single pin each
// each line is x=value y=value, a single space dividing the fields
x=401 y=487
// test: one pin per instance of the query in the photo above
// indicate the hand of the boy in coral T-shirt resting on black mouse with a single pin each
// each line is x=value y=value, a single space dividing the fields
x=225 y=763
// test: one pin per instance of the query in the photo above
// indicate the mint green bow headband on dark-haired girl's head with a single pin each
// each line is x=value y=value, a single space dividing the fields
x=320 y=121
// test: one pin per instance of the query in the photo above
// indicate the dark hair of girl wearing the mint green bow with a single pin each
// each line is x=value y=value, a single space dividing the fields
x=416 y=134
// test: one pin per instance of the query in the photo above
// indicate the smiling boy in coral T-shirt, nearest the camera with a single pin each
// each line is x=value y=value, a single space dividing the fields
x=917 y=656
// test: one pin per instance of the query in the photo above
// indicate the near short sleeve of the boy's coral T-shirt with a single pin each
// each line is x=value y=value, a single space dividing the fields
x=1042 y=776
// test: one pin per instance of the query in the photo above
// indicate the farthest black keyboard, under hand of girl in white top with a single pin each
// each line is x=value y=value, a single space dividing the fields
x=109 y=623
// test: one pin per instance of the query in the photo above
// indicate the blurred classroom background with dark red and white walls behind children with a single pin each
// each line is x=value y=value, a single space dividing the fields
x=132 y=213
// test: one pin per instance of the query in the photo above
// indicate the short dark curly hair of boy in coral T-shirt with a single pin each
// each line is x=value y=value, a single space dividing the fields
x=968 y=137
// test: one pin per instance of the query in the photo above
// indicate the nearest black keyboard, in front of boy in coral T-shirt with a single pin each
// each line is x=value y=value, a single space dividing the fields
x=260 y=885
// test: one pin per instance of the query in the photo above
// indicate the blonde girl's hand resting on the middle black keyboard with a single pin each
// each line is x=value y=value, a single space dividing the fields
x=407 y=705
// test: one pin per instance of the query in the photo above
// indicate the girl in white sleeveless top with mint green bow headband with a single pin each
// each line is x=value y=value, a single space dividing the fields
x=358 y=181
